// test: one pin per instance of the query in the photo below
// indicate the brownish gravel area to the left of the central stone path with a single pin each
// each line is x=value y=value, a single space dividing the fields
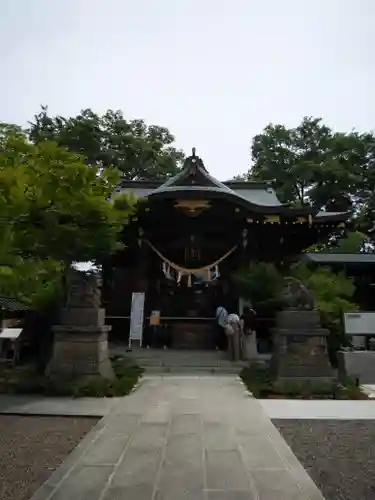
x=31 y=448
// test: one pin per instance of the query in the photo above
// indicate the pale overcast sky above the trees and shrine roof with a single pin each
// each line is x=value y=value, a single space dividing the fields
x=214 y=72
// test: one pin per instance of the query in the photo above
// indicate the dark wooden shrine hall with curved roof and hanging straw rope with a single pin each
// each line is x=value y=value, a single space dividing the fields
x=189 y=235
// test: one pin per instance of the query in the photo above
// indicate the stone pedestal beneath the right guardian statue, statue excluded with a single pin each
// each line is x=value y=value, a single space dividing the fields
x=300 y=348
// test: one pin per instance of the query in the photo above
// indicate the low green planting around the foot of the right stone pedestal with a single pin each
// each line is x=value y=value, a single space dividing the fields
x=258 y=381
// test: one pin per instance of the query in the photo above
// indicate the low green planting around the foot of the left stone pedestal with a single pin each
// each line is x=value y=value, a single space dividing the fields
x=24 y=380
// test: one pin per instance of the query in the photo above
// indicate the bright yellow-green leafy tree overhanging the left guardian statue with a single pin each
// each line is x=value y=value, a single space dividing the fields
x=54 y=210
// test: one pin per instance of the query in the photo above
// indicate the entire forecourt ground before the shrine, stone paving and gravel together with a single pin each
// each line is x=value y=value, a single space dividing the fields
x=334 y=441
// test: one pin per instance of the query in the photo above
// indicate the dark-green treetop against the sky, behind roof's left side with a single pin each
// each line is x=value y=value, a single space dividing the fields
x=139 y=151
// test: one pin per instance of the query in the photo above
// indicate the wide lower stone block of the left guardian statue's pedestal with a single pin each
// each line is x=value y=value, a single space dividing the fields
x=80 y=351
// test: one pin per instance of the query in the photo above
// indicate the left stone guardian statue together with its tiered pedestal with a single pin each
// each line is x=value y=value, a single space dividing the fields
x=81 y=339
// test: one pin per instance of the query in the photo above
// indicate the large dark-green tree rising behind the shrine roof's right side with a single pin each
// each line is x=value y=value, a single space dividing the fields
x=311 y=164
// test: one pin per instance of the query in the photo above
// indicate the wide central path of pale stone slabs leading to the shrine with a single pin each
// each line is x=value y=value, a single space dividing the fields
x=181 y=438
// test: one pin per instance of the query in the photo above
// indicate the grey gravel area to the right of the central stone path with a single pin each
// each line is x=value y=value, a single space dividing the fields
x=338 y=454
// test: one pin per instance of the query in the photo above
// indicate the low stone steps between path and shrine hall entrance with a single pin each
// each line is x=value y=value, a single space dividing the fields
x=164 y=361
